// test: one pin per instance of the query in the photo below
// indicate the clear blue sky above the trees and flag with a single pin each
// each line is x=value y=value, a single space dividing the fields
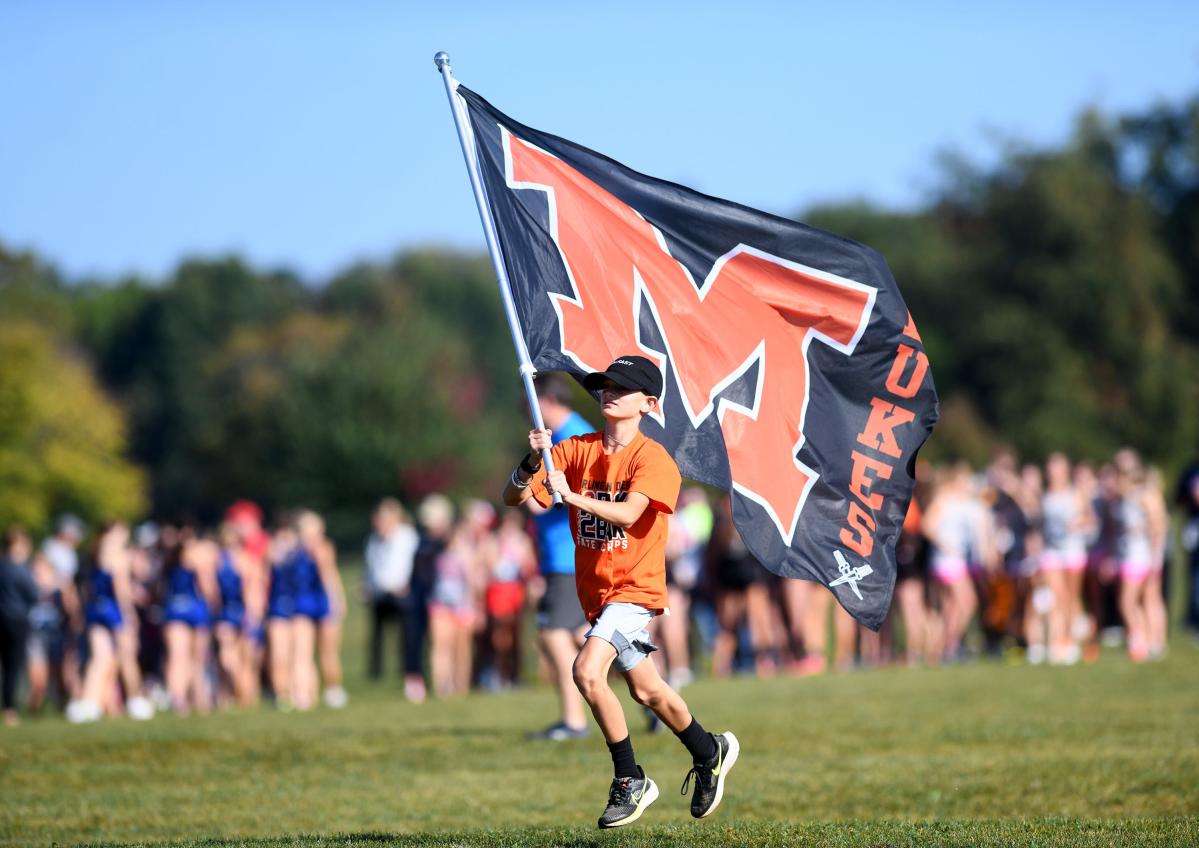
x=311 y=135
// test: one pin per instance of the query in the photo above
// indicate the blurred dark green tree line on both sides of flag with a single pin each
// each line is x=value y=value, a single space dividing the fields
x=1057 y=293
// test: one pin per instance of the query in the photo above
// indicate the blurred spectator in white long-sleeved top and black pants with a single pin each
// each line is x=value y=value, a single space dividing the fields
x=390 y=561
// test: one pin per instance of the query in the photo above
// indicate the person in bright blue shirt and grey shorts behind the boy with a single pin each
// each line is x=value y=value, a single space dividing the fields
x=561 y=621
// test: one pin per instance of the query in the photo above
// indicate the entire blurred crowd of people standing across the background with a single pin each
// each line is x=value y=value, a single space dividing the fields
x=1039 y=563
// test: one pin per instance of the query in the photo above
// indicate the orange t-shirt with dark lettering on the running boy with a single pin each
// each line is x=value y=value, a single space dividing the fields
x=614 y=564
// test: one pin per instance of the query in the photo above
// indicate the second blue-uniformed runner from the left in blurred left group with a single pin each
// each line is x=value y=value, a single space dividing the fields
x=191 y=594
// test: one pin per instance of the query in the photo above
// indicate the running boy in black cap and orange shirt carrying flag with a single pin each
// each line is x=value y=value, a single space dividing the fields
x=620 y=488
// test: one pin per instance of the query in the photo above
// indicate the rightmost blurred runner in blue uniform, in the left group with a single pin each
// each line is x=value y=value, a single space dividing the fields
x=321 y=610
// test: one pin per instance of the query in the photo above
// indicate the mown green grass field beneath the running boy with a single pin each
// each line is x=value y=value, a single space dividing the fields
x=1104 y=755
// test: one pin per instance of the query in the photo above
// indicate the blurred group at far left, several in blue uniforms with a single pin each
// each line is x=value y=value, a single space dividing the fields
x=167 y=617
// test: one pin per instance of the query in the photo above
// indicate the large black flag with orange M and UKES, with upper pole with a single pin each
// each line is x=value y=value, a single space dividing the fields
x=796 y=378
